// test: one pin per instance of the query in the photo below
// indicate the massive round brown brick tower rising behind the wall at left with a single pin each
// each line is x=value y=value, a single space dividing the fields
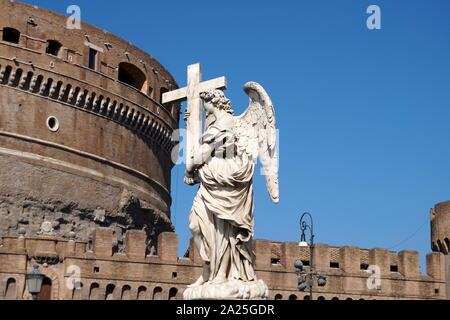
x=84 y=139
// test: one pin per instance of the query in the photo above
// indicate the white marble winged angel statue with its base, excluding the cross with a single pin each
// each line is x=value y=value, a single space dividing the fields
x=221 y=218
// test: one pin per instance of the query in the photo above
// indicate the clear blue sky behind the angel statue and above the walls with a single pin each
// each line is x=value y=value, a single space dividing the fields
x=364 y=115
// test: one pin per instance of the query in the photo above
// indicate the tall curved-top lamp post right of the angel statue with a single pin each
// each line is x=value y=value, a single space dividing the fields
x=306 y=279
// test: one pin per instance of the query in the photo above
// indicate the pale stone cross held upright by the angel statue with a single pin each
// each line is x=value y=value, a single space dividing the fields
x=191 y=93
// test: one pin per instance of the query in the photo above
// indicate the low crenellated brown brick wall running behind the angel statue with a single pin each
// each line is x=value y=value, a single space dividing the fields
x=166 y=273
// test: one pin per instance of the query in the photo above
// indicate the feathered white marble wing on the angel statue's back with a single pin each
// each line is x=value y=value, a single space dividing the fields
x=257 y=135
